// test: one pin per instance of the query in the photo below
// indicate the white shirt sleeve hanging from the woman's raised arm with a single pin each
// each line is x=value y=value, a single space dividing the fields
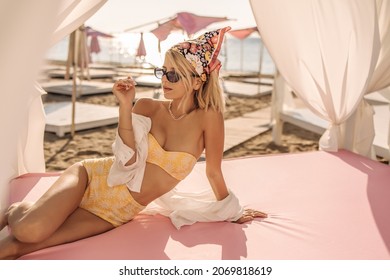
x=130 y=175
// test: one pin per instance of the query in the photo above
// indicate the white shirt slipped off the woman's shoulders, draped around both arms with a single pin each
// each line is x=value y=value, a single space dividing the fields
x=182 y=208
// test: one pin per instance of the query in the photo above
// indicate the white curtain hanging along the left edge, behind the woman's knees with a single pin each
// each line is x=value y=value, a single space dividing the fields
x=27 y=30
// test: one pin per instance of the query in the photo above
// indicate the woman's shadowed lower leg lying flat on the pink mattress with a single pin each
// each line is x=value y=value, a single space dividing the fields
x=80 y=224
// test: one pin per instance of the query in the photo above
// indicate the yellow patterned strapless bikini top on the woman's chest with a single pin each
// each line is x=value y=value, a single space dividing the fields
x=176 y=164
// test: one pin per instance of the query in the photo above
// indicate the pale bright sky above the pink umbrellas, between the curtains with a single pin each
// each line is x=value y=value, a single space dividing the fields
x=119 y=15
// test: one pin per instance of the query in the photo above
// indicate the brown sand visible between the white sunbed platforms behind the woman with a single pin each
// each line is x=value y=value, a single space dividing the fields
x=60 y=152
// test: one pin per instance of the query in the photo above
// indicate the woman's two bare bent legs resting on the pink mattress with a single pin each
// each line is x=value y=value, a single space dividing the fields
x=53 y=219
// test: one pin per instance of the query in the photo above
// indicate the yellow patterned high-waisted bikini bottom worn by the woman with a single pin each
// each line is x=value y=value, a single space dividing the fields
x=113 y=204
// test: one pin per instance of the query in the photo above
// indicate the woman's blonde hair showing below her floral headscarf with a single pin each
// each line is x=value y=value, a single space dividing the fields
x=210 y=94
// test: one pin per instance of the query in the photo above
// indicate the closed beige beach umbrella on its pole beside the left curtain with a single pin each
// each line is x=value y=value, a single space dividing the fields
x=78 y=60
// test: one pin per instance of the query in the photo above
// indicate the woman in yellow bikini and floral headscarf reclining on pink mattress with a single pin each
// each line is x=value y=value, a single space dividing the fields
x=157 y=145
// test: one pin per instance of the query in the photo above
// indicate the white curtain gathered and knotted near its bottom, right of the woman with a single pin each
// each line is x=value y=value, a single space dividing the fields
x=327 y=52
